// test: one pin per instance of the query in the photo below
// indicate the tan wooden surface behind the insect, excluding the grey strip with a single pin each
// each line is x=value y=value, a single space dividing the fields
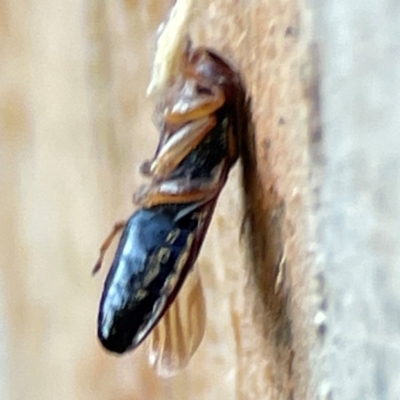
x=75 y=125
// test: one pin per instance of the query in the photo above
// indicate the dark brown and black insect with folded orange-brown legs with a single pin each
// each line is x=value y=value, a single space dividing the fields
x=200 y=118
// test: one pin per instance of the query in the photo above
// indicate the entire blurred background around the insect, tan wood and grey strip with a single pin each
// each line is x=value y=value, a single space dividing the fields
x=306 y=305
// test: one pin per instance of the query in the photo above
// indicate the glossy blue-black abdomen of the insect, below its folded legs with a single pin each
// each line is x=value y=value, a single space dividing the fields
x=146 y=257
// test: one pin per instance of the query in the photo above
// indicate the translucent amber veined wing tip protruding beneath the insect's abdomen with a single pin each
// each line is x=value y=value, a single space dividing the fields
x=178 y=334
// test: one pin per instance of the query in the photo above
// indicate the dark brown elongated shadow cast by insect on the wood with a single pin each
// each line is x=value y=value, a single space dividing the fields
x=264 y=214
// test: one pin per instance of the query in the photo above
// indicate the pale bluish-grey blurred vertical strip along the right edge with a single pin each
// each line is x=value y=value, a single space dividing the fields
x=360 y=198
